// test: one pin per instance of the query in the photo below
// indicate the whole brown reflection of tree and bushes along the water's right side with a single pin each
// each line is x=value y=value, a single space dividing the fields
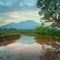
x=49 y=54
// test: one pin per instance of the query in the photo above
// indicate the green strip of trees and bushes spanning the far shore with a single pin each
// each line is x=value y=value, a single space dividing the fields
x=48 y=31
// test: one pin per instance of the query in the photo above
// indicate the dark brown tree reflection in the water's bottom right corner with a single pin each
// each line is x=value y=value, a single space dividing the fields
x=50 y=55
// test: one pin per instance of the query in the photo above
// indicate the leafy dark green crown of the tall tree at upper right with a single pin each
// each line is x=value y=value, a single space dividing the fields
x=50 y=9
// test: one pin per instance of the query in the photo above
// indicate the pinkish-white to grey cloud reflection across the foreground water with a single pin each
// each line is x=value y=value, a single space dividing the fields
x=20 y=51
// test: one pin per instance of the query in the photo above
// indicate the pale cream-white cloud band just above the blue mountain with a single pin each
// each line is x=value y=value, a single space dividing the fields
x=19 y=16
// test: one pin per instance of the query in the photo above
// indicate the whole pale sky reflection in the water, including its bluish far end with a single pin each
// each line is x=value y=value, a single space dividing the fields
x=22 y=50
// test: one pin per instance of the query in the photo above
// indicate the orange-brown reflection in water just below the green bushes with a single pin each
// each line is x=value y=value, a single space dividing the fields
x=48 y=41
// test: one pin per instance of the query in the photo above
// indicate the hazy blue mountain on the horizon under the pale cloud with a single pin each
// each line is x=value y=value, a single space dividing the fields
x=23 y=25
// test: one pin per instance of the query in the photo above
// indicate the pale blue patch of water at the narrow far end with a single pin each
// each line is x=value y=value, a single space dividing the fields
x=26 y=40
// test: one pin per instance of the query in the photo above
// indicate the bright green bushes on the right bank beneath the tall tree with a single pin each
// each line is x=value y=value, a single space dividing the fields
x=47 y=31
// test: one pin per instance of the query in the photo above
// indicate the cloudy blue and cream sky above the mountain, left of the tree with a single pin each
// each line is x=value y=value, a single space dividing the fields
x=18 y=10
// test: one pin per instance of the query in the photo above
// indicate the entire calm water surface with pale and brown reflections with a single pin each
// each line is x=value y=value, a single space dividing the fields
x=31 y=48
